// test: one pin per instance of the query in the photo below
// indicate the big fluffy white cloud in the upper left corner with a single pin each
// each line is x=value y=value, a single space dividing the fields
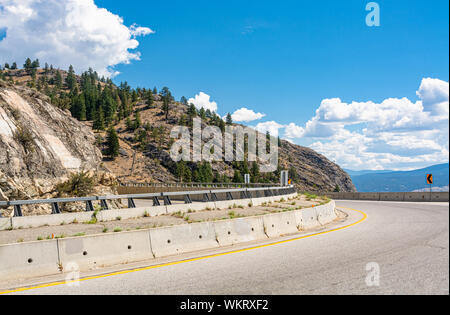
x=64 y=32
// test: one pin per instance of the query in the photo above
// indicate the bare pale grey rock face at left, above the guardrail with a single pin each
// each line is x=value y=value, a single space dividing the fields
x=40 y=144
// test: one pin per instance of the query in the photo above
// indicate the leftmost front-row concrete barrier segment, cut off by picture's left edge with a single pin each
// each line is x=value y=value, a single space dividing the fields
x=27 y=260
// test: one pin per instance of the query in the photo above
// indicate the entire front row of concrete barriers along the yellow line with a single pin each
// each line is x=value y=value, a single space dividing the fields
x=27 y=260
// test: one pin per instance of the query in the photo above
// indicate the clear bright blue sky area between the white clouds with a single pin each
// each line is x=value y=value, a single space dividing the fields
x=295 y=54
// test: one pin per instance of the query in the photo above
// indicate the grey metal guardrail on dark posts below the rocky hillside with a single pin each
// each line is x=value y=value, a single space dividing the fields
x=208 y=195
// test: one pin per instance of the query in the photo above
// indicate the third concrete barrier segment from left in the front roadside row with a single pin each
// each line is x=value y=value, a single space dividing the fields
x=180 y=239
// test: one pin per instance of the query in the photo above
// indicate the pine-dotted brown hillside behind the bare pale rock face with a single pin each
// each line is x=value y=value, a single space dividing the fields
x=131 y=128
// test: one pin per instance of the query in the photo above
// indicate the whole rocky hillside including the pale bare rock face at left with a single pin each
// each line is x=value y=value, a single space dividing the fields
x=60 y=144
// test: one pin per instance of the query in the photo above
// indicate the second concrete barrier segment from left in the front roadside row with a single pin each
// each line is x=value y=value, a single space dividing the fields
x=98 y=251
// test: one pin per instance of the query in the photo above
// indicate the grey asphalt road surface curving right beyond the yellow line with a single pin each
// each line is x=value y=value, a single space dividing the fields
x=404 y=246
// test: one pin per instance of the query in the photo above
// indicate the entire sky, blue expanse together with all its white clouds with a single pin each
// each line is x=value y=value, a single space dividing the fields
x=285 y=60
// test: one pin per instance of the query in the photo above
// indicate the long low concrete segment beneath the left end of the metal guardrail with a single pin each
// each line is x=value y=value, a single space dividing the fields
x=50 y=220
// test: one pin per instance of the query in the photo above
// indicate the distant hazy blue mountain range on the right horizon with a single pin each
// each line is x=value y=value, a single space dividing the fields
x=406 y=181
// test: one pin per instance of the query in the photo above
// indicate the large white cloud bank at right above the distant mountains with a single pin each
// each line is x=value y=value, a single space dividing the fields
x=393 y=134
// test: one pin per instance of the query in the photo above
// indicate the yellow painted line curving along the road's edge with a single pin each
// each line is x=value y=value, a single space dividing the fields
x=189 y=260
